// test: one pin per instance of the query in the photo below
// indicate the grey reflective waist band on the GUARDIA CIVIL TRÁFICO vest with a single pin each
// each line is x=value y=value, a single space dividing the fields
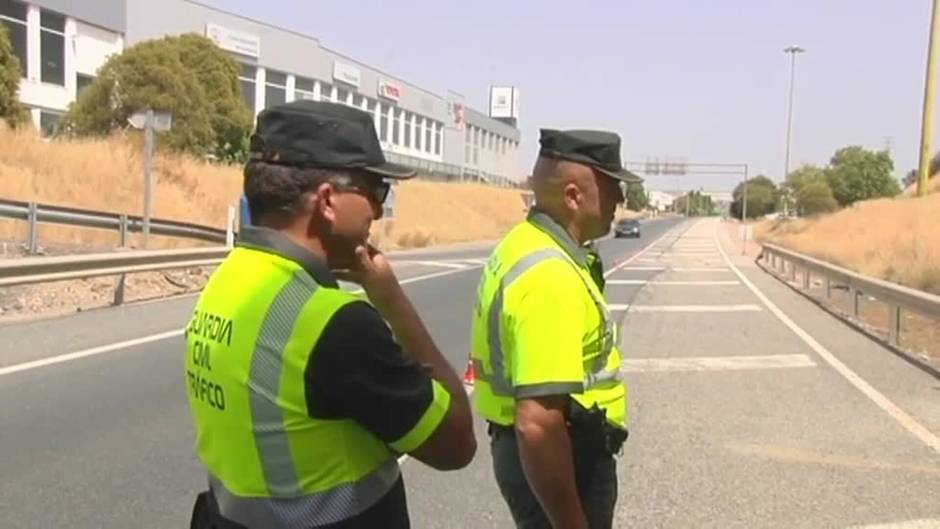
x=329 y=507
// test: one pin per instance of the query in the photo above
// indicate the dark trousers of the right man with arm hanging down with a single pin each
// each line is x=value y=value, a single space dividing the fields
x=595 y=474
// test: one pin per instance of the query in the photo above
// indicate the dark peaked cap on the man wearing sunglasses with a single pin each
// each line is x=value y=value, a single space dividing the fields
x=323 y=135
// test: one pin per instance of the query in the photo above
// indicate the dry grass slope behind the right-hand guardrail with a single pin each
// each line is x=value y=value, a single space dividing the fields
x=893 y=239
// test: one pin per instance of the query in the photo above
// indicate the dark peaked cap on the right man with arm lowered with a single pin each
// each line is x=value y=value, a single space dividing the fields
x=597 y=148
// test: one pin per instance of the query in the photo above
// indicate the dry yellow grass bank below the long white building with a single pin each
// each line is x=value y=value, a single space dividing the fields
x=107 y=174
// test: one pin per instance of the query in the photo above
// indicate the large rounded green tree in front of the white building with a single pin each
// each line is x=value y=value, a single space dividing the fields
x=187 y=76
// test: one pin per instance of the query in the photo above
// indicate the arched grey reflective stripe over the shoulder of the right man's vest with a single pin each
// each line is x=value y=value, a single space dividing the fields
x=499 y=381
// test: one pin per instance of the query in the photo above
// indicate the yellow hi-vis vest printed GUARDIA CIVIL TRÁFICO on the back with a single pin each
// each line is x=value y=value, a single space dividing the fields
x=270 y=464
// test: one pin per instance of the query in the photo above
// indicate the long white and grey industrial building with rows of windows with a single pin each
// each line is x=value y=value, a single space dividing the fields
x=62 y=43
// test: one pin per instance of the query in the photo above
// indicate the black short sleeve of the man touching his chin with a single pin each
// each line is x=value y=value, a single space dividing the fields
x=358 y=371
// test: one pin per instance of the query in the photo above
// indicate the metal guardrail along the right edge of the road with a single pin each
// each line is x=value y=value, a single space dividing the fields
x=898 y=298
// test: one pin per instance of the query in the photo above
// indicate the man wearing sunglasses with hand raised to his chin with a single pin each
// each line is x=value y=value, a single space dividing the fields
x=302 y=399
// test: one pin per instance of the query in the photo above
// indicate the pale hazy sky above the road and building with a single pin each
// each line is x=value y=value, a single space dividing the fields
x=704 y=80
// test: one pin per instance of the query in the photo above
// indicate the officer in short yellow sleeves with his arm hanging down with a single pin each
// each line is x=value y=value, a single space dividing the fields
x=544 y=346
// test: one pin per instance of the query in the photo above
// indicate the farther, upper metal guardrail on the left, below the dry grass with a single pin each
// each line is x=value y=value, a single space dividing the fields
x=34 y=213
